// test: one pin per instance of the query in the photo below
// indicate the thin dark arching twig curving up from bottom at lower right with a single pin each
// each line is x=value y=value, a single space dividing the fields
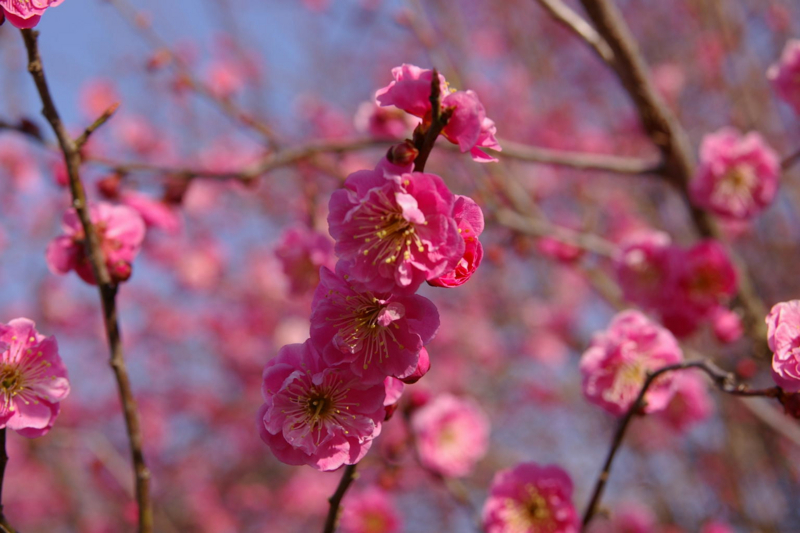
x=724 y=381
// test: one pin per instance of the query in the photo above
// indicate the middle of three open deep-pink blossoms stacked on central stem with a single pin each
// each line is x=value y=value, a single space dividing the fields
x=375 y=334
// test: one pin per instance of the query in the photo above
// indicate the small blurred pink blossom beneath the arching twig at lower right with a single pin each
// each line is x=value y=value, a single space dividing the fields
x=691 y=402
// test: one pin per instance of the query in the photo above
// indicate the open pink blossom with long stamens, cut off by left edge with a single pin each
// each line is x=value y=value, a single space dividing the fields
x=33 y=380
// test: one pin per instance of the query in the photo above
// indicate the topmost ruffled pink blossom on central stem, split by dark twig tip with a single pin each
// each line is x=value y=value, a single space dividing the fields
x=468 y=126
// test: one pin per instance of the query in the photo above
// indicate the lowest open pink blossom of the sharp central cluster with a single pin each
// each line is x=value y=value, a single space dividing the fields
x=315 y=414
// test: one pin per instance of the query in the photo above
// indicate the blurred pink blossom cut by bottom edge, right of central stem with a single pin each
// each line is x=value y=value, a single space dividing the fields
x=370 y=511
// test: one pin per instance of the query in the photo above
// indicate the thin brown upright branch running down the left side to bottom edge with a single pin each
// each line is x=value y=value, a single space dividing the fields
x=107 y=288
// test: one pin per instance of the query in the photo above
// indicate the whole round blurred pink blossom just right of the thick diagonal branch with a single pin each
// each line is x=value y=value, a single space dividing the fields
x=737 y=176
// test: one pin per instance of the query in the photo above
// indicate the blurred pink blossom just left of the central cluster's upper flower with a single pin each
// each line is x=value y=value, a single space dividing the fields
x=302 y=252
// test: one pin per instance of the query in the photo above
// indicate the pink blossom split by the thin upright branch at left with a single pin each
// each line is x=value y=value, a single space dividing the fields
x=120 y=230
